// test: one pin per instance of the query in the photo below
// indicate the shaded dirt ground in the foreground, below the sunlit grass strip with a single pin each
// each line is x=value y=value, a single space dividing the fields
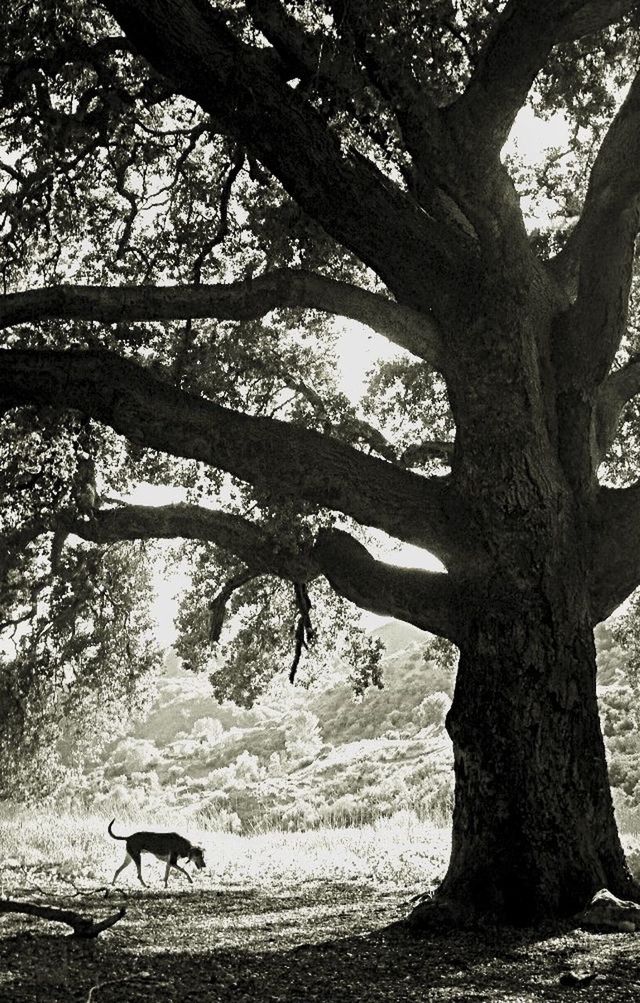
x=313 y=943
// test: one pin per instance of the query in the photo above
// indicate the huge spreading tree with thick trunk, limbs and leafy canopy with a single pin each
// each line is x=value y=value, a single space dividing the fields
x=185 y=183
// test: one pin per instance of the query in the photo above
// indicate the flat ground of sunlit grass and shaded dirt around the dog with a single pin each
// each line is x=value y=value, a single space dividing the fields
x=307 y=916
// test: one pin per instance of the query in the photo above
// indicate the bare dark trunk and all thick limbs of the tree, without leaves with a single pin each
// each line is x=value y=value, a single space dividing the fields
x=526 y=348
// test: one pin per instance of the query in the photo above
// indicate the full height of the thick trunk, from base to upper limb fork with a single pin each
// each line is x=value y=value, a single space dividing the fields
x=534 y=829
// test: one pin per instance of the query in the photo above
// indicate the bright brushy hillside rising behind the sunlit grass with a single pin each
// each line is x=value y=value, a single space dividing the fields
x=306 y=758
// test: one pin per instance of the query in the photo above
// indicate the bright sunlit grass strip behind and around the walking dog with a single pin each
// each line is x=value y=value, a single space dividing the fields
x=403 y=851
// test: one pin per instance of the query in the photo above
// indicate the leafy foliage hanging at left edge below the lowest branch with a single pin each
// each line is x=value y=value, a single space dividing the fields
x=80 y=665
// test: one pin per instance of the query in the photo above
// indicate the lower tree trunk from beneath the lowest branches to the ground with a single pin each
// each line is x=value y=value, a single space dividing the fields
x=534 y=830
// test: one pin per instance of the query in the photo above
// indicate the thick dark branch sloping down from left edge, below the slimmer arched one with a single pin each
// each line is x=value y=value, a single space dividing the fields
x=286 y=461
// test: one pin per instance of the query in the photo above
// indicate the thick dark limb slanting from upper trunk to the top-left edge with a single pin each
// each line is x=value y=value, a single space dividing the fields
x=191 y=46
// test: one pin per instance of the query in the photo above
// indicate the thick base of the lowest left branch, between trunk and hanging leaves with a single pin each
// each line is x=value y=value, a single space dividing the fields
x=426 y=599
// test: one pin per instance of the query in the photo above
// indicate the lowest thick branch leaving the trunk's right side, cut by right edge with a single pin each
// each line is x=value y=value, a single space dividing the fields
x=615 y=550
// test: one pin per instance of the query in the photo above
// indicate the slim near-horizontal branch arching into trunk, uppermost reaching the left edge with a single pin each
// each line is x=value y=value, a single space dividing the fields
x=245 y=300
